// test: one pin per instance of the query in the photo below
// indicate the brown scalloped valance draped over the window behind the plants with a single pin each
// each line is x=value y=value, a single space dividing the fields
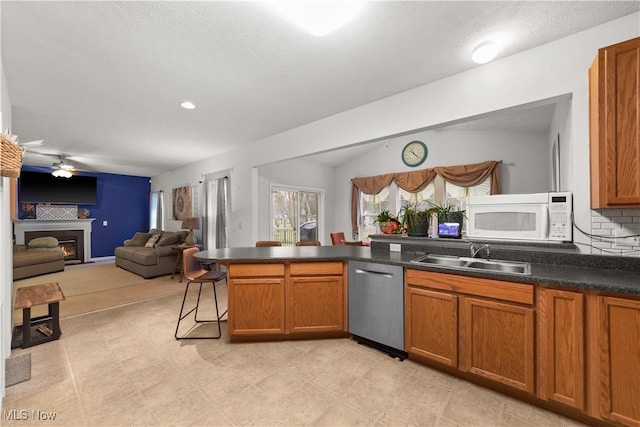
x=413 y=181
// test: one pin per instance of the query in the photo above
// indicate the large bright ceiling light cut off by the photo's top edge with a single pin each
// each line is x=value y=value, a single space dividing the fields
x=318 y=17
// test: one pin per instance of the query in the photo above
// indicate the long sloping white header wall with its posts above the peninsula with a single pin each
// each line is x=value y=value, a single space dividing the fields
x=555 y=69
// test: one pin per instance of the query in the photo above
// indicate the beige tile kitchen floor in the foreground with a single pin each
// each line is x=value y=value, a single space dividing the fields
x=123 y=367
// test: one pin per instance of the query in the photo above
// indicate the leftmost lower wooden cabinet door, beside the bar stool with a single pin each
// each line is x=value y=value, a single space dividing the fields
x=256 y=306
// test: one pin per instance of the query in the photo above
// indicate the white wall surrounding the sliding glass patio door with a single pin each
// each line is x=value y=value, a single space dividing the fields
x=297 y=173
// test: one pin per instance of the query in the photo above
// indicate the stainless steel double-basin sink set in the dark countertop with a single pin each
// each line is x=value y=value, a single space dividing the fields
x=466 y=263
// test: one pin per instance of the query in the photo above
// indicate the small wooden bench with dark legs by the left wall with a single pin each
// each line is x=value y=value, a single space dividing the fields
x=40 y=329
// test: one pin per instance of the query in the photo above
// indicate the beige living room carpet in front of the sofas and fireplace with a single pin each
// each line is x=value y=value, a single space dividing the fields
x=98 y=286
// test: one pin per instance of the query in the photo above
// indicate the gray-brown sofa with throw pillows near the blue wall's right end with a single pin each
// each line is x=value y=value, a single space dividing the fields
x=150 y=259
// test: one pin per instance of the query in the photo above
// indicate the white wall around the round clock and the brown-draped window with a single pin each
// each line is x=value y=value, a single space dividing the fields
x=525 y=157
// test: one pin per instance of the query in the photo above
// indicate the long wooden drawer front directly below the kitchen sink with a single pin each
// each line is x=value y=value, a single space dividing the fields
x=515 y=292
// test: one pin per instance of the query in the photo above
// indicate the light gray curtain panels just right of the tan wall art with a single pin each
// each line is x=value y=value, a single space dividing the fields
x=215 y=213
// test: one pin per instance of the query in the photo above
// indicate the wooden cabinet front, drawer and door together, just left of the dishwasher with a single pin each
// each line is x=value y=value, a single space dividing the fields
x=316 y=297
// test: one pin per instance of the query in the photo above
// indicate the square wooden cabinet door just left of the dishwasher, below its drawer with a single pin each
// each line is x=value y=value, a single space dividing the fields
x=316 y=304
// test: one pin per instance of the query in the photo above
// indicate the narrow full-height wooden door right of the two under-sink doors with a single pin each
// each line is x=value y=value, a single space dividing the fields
x=561 y=341
